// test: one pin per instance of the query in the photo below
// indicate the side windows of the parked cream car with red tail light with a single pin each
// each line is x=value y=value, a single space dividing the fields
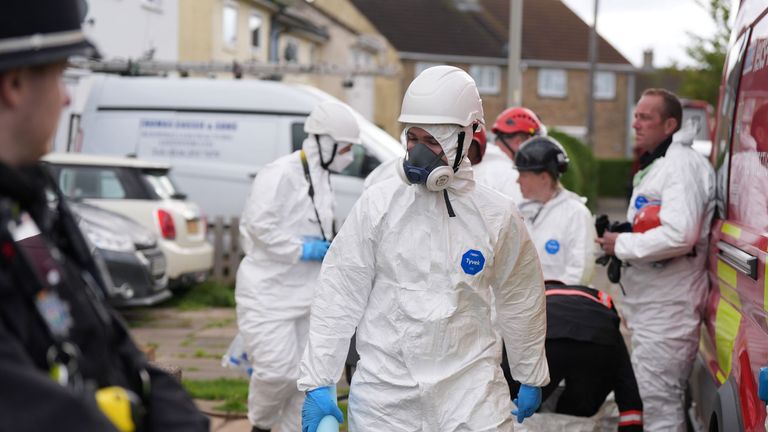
x=97 y=182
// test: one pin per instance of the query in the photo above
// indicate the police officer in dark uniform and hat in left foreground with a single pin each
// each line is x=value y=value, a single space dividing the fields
x=67 y=362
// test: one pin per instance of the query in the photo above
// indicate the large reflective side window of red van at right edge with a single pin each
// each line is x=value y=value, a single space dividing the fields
x=748 y=182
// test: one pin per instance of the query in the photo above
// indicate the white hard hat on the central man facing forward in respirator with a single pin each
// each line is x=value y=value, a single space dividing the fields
x=442 y=95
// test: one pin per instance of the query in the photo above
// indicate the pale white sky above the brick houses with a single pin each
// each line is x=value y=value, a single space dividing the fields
x=632 y=26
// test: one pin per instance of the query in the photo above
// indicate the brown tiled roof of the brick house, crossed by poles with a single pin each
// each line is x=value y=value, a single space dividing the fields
x=551 y=31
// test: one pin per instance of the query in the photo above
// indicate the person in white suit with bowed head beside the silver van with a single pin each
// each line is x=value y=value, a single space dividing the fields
x=286 y=228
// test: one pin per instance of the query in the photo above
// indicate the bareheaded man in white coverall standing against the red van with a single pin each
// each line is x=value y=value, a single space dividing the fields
x=666 y=279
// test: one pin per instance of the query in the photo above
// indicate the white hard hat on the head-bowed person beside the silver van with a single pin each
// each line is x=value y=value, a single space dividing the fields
x=334 y=119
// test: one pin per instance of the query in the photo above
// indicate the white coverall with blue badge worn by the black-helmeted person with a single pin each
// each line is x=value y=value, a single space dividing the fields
x=564 y=234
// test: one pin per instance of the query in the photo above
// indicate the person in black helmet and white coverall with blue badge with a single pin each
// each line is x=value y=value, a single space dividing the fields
x=560 y=225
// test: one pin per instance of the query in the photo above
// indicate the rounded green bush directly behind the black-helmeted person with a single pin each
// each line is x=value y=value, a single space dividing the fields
x=580 y=177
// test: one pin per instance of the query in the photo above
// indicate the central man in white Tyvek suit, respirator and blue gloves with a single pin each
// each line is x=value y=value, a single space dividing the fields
x=412 y=270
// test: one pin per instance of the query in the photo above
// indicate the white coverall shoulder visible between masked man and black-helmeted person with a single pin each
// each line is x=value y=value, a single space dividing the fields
x=498 y=171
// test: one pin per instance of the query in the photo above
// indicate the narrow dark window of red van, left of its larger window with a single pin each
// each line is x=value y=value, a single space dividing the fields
x=724 y=133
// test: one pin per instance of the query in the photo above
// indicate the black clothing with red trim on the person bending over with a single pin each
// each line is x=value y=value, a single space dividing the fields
x=586 y=349
